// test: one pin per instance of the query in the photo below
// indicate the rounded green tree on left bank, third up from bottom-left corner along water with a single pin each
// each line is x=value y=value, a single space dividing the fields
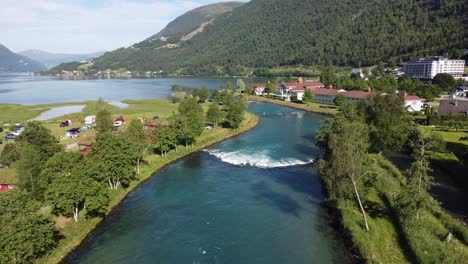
x=114 y=160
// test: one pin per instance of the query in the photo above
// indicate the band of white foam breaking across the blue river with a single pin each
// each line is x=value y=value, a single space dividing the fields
x=259 y=159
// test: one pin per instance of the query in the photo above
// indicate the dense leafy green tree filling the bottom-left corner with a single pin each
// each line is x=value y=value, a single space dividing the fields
x=26 y=235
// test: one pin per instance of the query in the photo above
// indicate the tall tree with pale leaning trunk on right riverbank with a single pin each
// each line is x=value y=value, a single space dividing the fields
x=345 y=162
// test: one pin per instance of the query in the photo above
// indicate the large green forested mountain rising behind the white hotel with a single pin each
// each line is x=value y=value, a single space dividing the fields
x=270 y=33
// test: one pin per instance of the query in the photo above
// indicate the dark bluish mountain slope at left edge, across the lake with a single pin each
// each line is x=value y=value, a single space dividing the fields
x=12 y=62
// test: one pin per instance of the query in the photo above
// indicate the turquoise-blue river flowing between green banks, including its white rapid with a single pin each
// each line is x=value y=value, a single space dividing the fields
x=255 y=198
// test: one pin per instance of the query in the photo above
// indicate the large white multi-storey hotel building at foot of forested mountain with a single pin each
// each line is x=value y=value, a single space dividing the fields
x=427 y=68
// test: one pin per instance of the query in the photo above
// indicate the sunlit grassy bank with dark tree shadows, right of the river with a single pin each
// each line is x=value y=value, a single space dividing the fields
x=391 y=239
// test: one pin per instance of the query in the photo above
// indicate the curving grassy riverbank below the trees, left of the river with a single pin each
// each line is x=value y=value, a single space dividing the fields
x=75 y=233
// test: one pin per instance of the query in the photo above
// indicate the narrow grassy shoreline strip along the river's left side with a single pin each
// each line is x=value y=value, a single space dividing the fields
x=66 y=247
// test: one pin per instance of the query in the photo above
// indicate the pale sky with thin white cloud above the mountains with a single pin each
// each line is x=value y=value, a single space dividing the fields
x=82 y=26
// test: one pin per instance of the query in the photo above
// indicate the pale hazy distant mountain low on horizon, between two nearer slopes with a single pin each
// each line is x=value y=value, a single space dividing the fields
x=53 y=59
